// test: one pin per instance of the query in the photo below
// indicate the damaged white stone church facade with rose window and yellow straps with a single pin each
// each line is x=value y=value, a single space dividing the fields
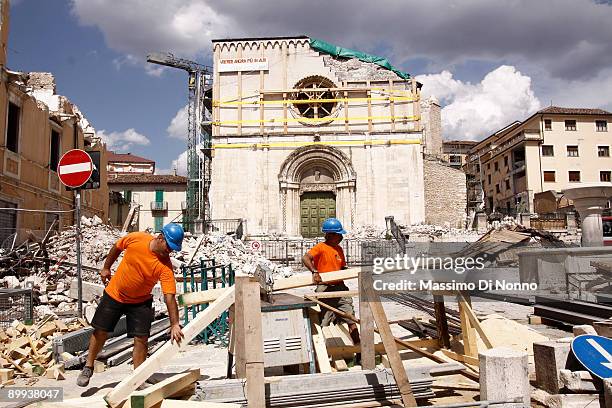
x=300 y=134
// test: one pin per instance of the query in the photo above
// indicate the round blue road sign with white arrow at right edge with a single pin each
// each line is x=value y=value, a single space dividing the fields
x=595 y=354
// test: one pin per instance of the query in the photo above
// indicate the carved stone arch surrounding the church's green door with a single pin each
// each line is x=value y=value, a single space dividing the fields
x=339 y=178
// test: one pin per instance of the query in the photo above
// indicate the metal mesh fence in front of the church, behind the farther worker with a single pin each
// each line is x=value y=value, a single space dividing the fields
x=358 y=252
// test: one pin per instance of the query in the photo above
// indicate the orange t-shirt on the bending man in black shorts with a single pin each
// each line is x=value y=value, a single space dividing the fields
x=139 y=270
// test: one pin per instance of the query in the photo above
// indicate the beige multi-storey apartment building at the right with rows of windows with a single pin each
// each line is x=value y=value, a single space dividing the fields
x=554 y=149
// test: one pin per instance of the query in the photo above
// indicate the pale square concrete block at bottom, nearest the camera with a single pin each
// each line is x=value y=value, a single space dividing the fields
x=504 y=375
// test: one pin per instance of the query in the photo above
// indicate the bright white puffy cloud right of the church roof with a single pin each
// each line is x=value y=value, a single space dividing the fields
x=474 y=111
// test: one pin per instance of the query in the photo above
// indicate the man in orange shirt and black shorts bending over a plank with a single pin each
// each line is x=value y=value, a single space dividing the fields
x=146 y=261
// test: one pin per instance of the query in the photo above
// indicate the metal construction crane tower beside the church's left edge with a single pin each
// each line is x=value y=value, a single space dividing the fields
x=196 y=215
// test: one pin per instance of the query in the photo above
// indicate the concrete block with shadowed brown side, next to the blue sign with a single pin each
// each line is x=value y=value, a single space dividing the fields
x=550 y=357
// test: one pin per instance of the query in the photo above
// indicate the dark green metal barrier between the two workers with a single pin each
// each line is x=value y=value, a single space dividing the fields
x=210 y=276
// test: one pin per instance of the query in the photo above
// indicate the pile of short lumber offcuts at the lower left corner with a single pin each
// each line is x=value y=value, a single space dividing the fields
x=28 y=350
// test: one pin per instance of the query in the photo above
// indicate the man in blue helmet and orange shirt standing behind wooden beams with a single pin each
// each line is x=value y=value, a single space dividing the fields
x=325 y=257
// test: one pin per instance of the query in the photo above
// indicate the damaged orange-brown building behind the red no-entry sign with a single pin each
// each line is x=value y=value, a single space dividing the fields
x=36 y=127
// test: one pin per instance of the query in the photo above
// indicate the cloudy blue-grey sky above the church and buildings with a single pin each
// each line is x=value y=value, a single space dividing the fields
x=489 y=63
